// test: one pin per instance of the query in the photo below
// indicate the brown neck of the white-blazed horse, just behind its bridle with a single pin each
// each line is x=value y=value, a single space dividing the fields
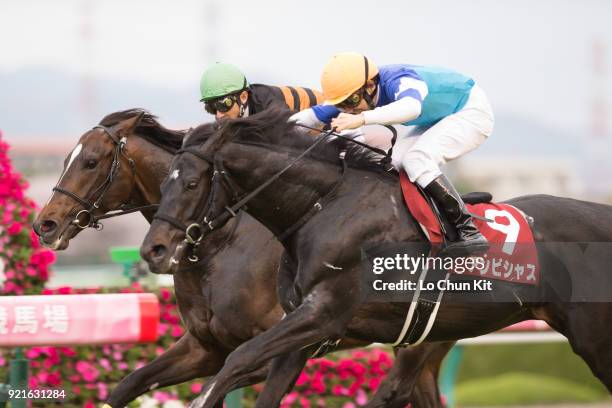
x=151 y=164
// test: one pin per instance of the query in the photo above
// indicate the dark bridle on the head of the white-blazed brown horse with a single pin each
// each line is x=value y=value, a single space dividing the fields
x=86 y=218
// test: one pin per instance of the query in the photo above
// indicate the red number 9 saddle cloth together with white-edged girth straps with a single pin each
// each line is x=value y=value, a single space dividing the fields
x=513 y=227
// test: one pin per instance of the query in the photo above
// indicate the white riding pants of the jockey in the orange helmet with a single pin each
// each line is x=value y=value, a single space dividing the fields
x=420 y=151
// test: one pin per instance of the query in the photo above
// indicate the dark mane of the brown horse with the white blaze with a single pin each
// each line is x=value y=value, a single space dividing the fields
x=149 y=128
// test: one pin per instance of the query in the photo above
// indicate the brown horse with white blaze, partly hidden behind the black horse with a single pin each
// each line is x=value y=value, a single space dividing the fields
x=215 y=297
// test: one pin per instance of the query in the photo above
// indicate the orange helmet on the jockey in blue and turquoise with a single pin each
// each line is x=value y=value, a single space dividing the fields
x=344 y=74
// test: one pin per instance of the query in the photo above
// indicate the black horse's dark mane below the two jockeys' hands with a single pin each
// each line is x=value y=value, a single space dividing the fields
x=272 y=127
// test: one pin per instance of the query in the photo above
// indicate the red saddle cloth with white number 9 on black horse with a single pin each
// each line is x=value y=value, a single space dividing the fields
x=513 y=256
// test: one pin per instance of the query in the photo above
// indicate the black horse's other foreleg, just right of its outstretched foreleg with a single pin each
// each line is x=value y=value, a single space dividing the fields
x=284 y=372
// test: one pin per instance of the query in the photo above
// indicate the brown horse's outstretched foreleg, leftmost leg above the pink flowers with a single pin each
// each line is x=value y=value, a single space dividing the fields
x=185 y=360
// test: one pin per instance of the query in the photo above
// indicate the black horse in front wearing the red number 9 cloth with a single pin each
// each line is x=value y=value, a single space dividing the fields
x=325 y=218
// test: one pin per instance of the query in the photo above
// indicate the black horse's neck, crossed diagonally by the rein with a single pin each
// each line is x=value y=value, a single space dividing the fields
x=284 y=202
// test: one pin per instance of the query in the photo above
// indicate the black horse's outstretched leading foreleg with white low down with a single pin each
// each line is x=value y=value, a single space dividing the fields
x=316 y=319
